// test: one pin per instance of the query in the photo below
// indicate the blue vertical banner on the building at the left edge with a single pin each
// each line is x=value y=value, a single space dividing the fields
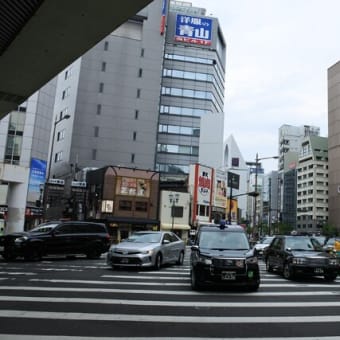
x=37 y=177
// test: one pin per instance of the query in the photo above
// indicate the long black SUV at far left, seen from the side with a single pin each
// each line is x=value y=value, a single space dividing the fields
x=57 y=237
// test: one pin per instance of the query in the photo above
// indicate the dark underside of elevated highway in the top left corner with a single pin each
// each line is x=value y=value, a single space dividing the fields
x=38 y=38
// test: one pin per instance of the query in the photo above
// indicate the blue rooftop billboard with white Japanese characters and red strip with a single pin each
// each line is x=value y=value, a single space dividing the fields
x=193 y=30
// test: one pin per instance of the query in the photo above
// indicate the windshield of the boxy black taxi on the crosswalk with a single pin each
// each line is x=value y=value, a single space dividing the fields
x=222 y=240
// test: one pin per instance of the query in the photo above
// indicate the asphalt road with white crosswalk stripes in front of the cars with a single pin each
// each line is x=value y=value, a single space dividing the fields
x=81 y=299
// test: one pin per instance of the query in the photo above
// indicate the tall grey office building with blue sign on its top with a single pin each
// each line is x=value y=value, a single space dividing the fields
x=136 y=98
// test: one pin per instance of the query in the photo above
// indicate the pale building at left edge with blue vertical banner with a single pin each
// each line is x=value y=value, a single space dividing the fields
x=24 y=136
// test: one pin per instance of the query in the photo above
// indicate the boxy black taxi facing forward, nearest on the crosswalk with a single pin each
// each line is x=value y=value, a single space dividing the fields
x=221 y=255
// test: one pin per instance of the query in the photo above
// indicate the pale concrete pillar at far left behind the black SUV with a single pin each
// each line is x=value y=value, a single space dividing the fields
x=16 y=202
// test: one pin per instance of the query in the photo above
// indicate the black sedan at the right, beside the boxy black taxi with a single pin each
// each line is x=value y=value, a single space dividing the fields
x=300 y=255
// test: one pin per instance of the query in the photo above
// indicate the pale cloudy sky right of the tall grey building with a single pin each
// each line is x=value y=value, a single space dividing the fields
x=278 y=53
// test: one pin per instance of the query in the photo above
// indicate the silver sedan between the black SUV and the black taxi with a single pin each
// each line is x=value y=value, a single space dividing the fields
x=147 y=249
